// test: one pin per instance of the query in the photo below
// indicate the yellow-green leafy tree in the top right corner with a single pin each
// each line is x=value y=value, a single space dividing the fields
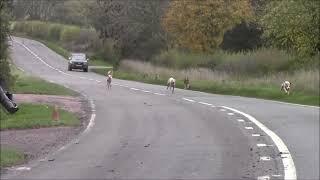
x=293 y=25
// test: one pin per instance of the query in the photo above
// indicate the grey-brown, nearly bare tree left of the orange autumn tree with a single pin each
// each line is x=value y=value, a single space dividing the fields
x=132 y=24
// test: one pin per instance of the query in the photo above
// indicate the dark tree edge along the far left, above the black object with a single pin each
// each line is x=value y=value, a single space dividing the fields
x=6 y=80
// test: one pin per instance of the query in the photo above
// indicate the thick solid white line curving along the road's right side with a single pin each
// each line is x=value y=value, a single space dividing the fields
x=288 y=164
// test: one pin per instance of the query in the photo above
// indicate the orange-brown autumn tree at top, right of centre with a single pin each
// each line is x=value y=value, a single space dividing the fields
x=200 y=24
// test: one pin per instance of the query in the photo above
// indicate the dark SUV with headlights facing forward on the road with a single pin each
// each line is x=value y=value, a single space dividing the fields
x=78 y=61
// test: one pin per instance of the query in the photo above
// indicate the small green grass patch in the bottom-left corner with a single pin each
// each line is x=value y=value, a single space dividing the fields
x=10 y=157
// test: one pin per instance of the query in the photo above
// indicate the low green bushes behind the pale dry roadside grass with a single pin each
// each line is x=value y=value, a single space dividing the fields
x=257 y=62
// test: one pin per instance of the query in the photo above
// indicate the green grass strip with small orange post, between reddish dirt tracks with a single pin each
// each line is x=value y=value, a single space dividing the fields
x=36 y=116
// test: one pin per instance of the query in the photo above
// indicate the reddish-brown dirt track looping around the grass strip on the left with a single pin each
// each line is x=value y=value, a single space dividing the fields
x=36 y=143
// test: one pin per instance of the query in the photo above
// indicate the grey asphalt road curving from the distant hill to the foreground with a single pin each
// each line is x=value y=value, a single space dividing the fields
x=142 y=131
